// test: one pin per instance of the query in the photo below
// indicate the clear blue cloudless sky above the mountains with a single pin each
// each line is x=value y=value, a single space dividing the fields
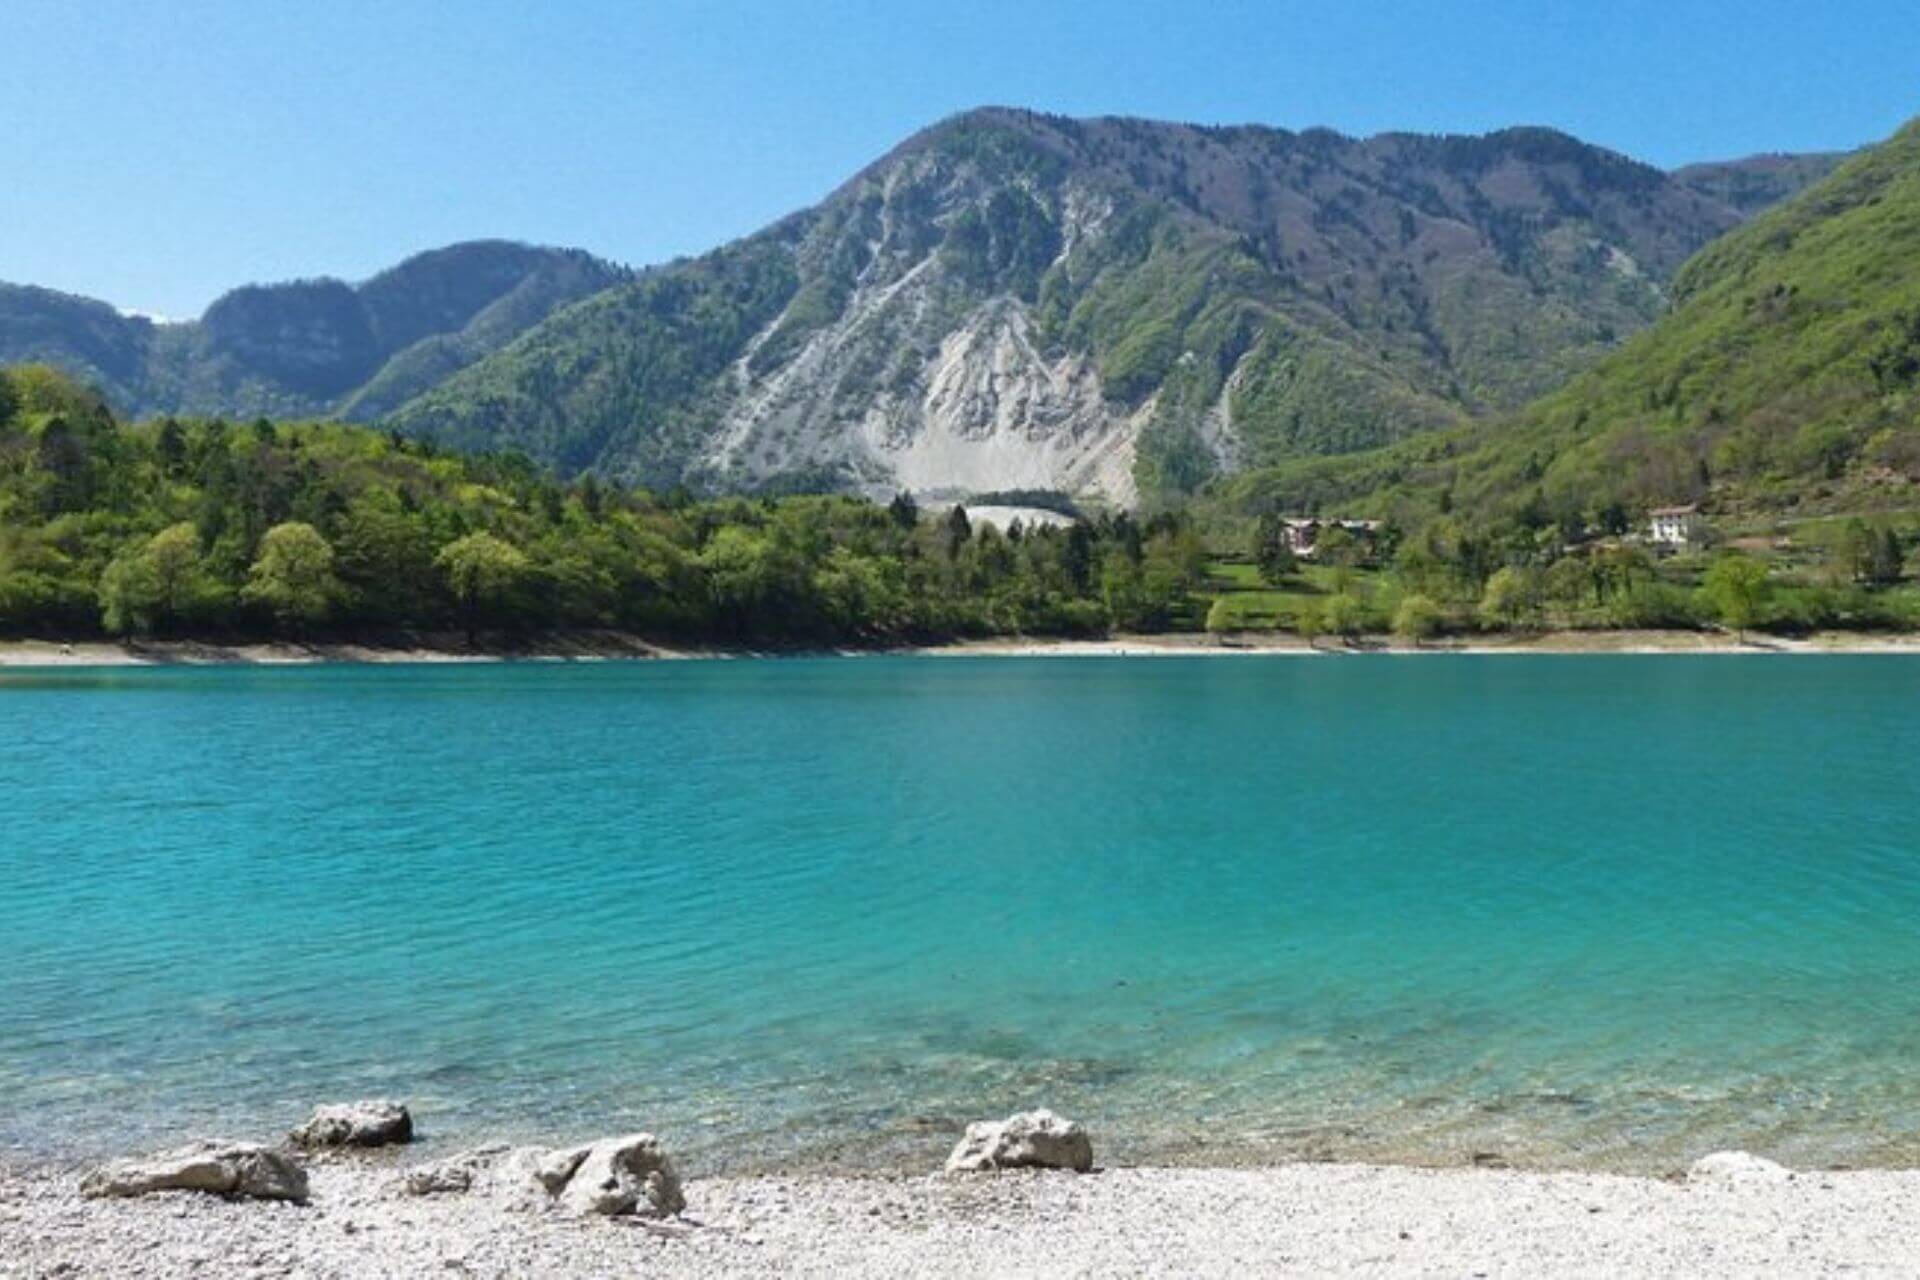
x=162 y=153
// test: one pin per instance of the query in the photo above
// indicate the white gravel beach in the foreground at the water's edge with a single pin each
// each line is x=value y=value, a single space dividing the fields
x=1301 y=1220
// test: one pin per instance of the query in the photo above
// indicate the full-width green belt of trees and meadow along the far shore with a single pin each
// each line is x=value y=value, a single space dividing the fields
x=201 y=529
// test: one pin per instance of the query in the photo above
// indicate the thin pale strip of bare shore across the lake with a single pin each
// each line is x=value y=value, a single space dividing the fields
x=619 y=648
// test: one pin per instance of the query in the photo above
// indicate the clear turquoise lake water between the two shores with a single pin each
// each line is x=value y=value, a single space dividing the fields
x=1587 y=911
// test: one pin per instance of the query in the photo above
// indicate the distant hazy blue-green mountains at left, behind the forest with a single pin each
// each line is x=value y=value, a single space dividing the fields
x=312 y=346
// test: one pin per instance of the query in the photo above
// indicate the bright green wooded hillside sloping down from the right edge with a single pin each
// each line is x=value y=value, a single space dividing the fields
x=1785 y=381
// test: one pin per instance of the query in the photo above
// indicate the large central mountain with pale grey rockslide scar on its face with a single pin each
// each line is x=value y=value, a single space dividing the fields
x=1105 y=306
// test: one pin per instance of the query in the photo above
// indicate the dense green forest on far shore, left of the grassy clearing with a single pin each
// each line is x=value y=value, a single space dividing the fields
x=316 y=531
